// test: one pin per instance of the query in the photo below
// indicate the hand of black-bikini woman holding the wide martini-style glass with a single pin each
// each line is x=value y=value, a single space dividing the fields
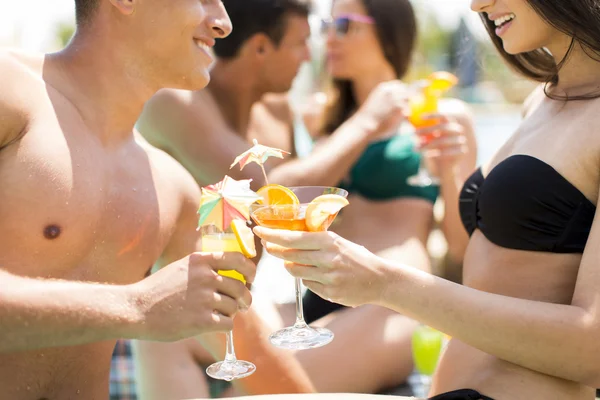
x=329 y=265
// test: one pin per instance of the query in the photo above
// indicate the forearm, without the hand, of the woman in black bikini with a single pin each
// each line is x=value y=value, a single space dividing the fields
x=558 y=340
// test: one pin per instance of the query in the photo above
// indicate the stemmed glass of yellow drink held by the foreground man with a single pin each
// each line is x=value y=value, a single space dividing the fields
x=216 y=240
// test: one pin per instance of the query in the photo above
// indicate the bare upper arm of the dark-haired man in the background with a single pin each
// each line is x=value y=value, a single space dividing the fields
x=191 y=128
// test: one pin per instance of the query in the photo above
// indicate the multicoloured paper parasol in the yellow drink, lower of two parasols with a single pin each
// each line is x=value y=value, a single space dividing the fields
x=225 y=201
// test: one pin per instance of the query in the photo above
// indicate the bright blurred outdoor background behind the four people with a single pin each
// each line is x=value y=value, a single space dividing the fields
x=451 y=38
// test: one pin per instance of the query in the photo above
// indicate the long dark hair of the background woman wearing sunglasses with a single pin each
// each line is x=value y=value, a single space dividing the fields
x=396 y=27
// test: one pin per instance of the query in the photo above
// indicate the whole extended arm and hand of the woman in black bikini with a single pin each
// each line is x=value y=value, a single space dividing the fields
x=554 y=339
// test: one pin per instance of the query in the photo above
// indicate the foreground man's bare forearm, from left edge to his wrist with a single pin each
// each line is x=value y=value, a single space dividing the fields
x=38 y=314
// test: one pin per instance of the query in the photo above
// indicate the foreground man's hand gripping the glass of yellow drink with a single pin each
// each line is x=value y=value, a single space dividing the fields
x=188 y=297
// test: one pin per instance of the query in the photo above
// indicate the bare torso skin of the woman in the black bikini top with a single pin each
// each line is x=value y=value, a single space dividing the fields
x=557 y=134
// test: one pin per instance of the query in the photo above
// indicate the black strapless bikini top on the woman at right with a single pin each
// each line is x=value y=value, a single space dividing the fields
x=525 y=204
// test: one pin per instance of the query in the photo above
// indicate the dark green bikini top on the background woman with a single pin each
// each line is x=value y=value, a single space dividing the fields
x=382 y=171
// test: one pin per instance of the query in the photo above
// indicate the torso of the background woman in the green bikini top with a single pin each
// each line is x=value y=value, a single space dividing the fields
x=387 y=215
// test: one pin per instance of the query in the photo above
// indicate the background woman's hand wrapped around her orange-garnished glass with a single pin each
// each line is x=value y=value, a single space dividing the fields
x=443 y=142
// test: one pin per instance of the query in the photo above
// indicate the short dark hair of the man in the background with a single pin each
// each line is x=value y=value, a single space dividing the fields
x=250 y=17
